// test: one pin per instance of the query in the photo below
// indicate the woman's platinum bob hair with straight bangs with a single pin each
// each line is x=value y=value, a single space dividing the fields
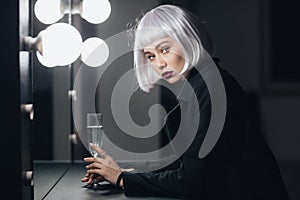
x=160 y=22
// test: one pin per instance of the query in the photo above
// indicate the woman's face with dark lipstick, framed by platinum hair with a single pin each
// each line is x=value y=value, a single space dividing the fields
x=166 y=58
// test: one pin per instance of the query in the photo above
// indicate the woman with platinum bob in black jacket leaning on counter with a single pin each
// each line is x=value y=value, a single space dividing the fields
x=171 y=49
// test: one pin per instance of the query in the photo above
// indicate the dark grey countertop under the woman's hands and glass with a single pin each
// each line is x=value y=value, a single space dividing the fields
x=61 y=181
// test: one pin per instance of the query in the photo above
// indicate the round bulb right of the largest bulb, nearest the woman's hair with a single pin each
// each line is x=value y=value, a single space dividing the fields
x=95 y=52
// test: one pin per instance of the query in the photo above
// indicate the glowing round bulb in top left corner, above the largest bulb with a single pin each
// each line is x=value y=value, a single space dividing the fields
x=48 y=11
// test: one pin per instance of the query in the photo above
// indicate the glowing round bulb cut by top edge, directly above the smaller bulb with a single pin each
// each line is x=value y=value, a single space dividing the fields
x=95 y=11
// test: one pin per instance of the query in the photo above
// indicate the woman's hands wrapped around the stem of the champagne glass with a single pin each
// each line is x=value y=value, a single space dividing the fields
x=106 y=167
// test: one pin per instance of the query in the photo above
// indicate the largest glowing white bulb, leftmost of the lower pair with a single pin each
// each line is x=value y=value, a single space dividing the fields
x=61 y=44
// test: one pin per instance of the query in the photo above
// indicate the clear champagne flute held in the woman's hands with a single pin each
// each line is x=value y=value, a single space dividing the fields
x=94 y=136
